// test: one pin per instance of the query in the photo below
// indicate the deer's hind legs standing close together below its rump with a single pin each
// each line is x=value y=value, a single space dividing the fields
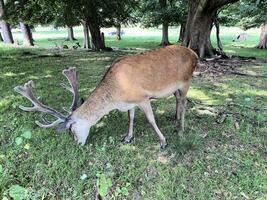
x=181 y=102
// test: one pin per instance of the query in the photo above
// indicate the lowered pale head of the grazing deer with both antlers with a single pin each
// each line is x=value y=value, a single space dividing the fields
x=79 y=127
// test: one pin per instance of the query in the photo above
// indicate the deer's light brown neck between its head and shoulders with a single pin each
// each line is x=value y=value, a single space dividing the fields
x=99 y=103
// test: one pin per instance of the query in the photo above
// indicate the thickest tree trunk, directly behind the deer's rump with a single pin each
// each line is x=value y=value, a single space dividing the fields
x=200 y=18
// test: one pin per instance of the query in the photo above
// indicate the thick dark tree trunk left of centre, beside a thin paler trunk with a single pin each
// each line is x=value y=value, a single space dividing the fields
x=97 y=42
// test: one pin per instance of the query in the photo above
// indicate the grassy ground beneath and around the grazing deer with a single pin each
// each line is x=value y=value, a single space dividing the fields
x=223 y=154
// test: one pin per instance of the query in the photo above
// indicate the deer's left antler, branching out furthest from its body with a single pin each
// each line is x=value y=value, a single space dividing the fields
x=26 y=91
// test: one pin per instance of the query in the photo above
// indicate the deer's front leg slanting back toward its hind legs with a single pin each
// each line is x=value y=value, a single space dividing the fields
x=145 y=106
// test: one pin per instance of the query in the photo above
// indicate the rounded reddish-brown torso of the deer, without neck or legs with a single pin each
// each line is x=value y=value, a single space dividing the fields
x=153 y=74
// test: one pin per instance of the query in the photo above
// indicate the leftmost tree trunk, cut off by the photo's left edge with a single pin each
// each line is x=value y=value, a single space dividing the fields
x=5 y=26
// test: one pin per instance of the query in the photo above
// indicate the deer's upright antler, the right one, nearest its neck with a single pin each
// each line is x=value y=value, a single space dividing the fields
x=70 y=74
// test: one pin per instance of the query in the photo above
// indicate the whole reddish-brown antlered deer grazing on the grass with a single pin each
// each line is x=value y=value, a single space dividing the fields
x=130 y=82
